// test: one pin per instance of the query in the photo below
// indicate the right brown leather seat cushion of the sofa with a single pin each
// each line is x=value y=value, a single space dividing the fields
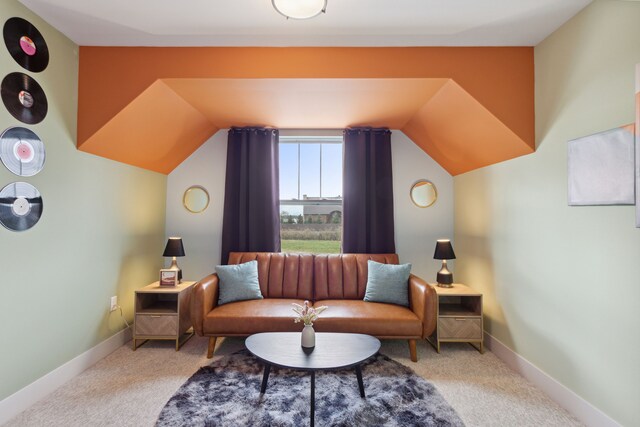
x=371 y=318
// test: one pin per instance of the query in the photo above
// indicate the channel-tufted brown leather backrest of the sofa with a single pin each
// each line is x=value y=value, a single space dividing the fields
x=312 y=277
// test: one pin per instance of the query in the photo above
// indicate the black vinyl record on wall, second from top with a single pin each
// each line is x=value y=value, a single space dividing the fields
x=24 y=98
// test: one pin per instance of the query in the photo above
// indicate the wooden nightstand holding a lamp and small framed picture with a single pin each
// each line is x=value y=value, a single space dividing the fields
x=162 y=313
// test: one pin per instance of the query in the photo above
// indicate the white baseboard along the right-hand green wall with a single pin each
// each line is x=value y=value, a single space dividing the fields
x=588 y=414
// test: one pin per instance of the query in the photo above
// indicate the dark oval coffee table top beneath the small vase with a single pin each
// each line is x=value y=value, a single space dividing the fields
x=332 y=350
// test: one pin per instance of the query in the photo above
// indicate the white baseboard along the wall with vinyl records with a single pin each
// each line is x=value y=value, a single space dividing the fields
x=40 y=388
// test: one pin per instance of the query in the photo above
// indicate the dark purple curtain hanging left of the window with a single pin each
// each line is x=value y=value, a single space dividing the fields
x=251 y=221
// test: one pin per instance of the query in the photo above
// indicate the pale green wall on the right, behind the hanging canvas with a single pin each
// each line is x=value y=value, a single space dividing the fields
x=562 y=284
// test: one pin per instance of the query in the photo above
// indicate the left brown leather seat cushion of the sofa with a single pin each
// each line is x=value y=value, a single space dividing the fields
x=251 y=317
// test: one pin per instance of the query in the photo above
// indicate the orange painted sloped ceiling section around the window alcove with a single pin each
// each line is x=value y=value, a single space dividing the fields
x=152 y=107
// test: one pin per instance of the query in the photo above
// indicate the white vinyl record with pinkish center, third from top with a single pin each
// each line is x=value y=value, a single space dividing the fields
x=21 y=151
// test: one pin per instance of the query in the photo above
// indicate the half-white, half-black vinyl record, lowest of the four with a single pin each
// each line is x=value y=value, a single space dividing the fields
x=20 y=206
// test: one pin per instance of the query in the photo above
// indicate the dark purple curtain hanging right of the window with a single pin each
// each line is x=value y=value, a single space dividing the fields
x=367 y=217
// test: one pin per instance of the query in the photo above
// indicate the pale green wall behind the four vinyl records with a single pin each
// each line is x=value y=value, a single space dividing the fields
x=101 y=233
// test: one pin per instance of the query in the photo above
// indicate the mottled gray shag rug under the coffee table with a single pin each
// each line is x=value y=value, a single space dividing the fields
x=227 y=393
